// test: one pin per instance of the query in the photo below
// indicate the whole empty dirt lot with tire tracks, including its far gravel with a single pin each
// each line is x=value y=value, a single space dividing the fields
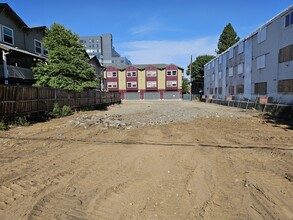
x=160 y=160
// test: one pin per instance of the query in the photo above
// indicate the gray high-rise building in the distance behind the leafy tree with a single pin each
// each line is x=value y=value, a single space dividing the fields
x=102 y=48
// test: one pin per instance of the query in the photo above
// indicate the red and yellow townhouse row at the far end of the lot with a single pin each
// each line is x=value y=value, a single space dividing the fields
x=145 y=82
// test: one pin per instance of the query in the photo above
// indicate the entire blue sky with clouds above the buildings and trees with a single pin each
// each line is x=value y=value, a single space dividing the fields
x=153 y=31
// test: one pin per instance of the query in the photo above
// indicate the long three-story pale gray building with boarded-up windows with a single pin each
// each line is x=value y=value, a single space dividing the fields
x=261 y=64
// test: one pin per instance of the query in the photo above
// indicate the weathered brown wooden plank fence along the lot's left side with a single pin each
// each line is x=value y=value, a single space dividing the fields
x=20 y=100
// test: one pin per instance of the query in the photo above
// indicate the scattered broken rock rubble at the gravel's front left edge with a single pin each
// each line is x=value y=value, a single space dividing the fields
x=107 y=121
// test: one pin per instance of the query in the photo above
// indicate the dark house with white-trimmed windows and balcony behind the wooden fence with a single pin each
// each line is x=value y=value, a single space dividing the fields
x=20 y=48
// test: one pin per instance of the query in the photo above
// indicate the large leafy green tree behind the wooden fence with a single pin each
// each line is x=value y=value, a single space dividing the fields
x=67 y=65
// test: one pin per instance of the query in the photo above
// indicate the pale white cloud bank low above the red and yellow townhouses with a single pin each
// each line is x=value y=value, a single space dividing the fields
x=168 y=51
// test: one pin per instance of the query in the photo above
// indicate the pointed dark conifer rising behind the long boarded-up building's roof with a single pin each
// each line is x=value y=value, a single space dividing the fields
x=227 y=39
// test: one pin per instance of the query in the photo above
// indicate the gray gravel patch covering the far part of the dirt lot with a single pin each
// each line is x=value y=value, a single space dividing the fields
x=134 y=114
